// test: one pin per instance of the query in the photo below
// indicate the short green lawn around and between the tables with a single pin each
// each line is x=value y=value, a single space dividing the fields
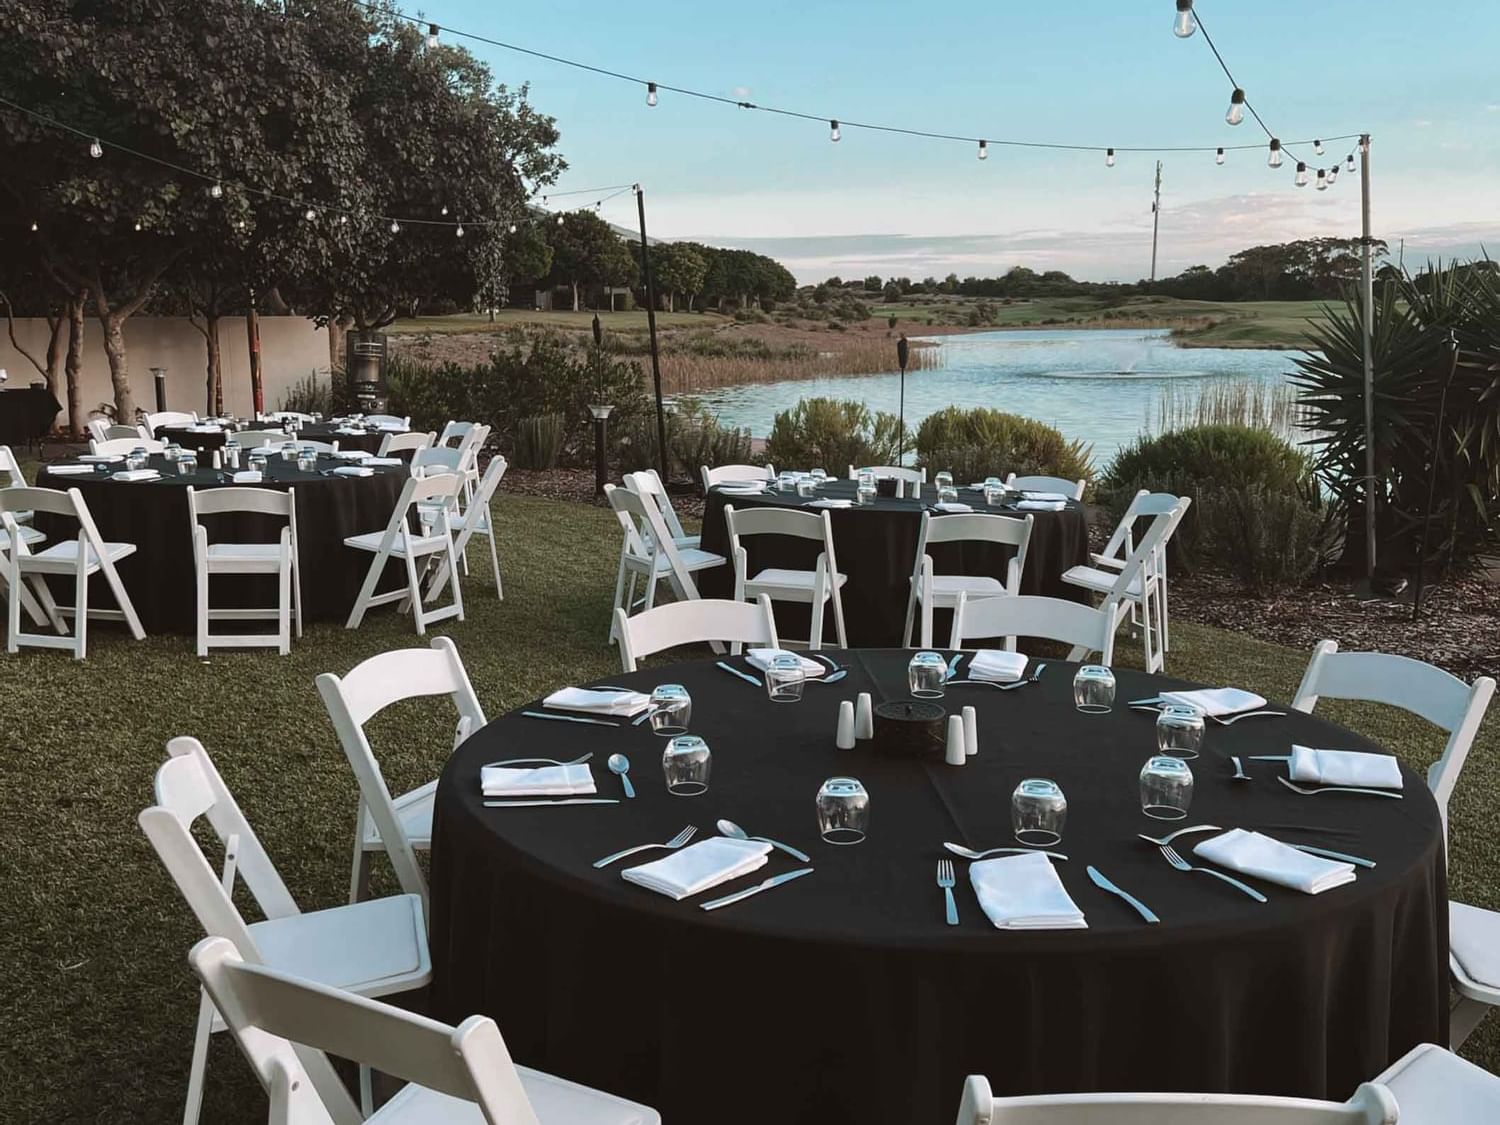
x=98 y=1007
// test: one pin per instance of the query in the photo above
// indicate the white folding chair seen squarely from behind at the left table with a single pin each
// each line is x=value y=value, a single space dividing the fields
x=247 y=559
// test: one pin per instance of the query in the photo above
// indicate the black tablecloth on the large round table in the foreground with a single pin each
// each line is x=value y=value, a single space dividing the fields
x=845 y=998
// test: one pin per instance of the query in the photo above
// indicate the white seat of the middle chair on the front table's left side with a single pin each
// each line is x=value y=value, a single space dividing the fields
x=371 y=946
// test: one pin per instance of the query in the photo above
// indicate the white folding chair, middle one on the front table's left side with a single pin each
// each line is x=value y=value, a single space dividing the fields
x=373 y=949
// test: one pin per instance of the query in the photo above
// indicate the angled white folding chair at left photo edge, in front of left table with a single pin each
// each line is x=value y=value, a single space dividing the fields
x=83 y=557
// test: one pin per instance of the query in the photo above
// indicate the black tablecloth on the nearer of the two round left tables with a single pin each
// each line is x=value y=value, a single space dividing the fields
x=160 y=575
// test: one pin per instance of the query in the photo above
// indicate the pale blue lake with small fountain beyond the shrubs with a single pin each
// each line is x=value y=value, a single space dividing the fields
x=1100 y=385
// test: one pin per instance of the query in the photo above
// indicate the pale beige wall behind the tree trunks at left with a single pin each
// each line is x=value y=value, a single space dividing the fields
x=292 y=347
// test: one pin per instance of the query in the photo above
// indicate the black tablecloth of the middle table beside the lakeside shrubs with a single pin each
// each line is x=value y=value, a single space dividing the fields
x=877 y=548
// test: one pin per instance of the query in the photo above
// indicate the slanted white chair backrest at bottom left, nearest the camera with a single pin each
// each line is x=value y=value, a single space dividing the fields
x=271 y=1012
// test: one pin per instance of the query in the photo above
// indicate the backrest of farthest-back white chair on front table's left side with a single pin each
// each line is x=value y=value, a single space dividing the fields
x=368 y=689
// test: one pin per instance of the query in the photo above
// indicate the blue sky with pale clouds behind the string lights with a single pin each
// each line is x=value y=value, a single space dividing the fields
x=1420 y=79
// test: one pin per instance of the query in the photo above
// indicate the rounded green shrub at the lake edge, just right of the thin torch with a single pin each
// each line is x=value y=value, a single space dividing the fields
x=968 y=440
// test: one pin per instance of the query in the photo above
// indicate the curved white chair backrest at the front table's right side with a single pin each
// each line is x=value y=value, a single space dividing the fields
x=1438 y=697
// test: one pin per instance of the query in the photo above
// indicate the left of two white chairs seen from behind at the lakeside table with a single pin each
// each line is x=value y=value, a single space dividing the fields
x=815 y=587
